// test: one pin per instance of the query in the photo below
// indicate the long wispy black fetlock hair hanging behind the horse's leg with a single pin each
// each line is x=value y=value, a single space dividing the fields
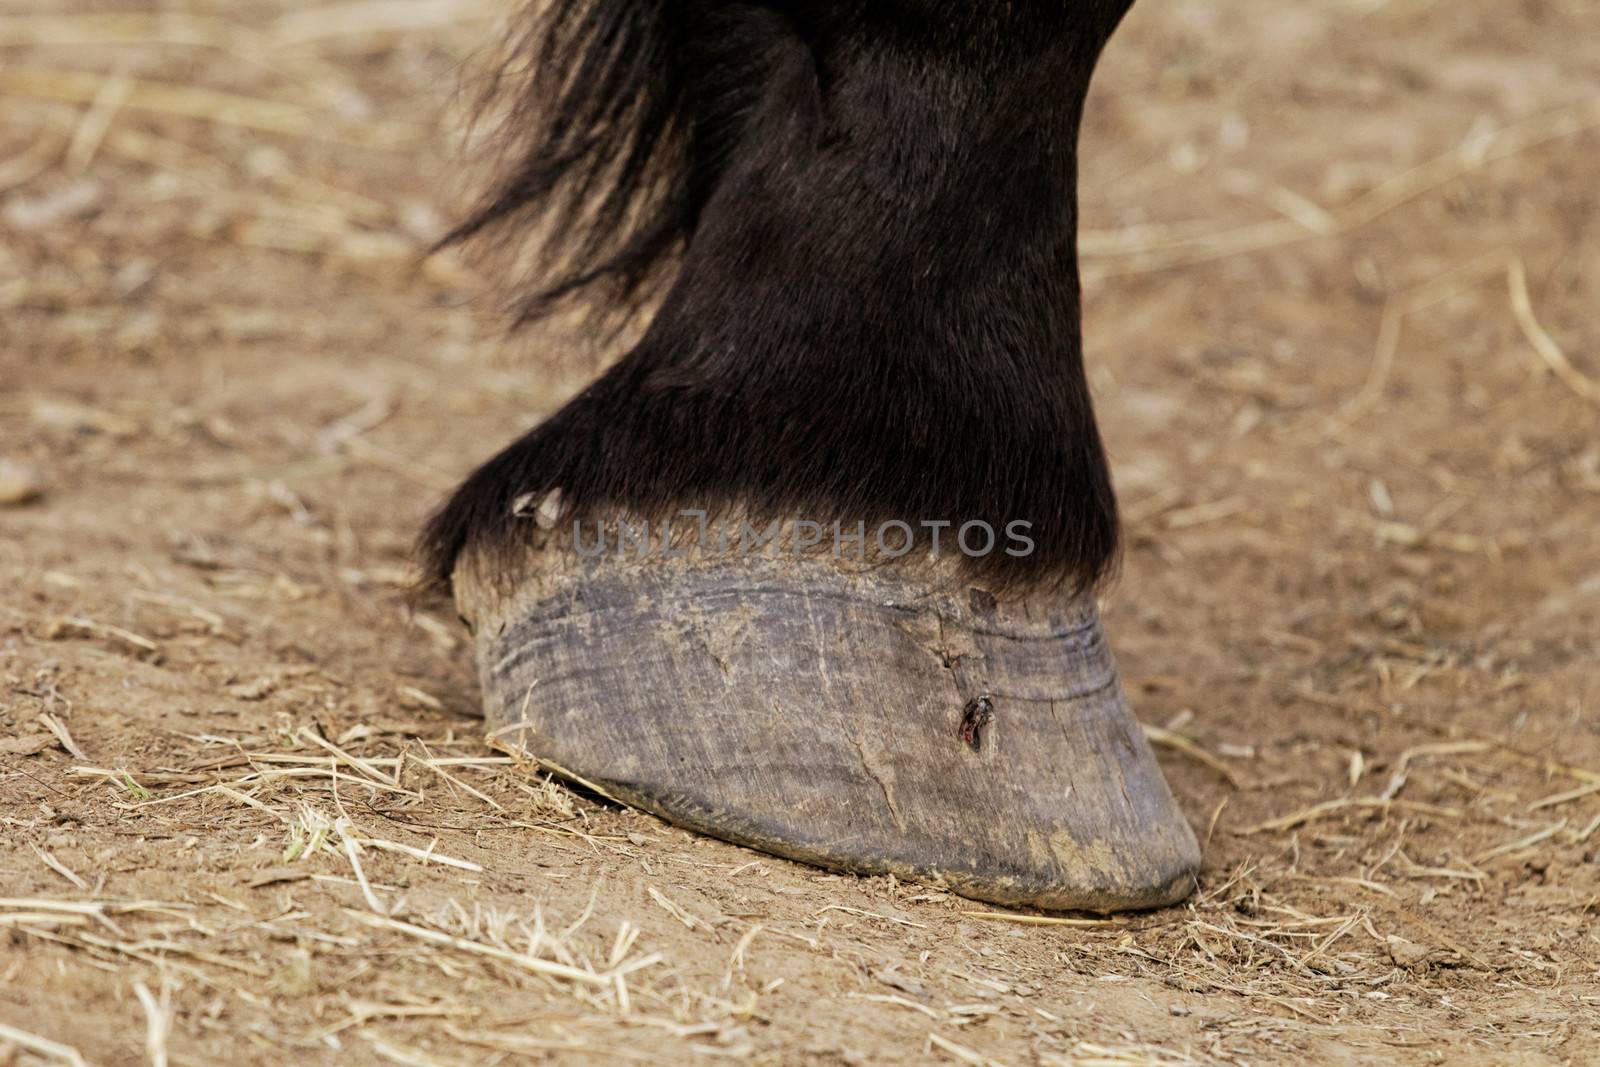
x=615 y=121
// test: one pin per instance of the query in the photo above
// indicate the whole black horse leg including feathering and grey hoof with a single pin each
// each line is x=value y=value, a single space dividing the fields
x=812 y=567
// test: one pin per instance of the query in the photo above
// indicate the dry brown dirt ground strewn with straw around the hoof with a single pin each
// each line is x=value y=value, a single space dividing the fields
x=1343 y=262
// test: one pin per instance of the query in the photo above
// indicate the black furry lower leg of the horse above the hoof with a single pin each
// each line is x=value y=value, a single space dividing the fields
x=871 y=209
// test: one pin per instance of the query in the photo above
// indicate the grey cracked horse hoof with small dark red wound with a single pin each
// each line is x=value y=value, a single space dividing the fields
x=860 y=722
